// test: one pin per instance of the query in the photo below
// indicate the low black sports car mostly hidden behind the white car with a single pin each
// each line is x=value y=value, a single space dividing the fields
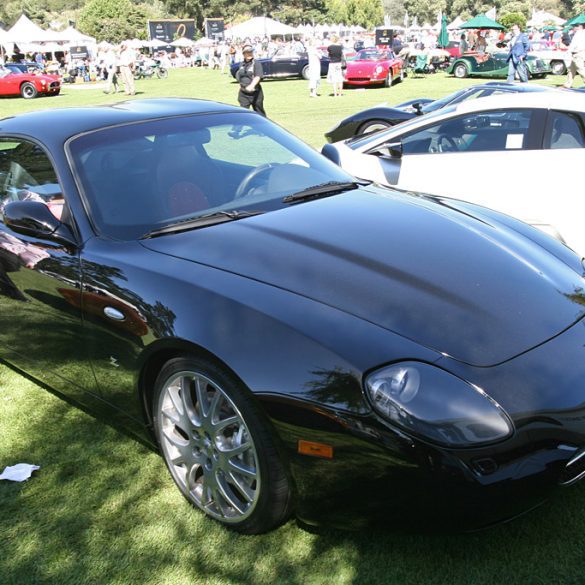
x=380 y=117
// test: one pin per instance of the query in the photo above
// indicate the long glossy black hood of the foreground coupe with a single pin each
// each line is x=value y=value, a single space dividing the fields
x=457 y=283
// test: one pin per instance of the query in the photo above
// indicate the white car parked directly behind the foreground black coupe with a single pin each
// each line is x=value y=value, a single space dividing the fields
x=520 y=154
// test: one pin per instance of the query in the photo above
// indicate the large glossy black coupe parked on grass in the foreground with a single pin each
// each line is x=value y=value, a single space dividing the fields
x=292 y=340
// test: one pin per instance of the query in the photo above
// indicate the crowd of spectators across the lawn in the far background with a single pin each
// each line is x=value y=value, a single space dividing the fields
x=115 y=65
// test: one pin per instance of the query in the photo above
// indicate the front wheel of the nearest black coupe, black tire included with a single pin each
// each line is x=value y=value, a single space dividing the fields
x=217 y=446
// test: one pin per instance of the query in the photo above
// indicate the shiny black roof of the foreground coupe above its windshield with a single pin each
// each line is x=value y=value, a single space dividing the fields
x=57 y=125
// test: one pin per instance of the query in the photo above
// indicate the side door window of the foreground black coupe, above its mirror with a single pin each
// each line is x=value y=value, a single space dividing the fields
x=27 y=174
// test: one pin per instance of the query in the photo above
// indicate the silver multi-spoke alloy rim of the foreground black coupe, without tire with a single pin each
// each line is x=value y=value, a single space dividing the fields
x=208 y=447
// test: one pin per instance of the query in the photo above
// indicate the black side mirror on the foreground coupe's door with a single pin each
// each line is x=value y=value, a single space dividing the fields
x=33 y=218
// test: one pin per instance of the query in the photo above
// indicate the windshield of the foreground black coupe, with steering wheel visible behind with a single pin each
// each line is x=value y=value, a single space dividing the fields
x=141 y=177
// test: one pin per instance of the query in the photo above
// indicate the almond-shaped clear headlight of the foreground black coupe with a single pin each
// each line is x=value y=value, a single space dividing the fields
x=436 y=405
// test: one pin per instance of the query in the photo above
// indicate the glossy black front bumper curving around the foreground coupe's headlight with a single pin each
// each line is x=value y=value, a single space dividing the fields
x=378 y=472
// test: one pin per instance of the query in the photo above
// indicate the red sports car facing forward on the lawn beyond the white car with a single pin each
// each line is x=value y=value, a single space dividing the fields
x=374 y=66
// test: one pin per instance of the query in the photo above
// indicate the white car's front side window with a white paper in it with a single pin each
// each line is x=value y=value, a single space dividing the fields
x=477 y=132
